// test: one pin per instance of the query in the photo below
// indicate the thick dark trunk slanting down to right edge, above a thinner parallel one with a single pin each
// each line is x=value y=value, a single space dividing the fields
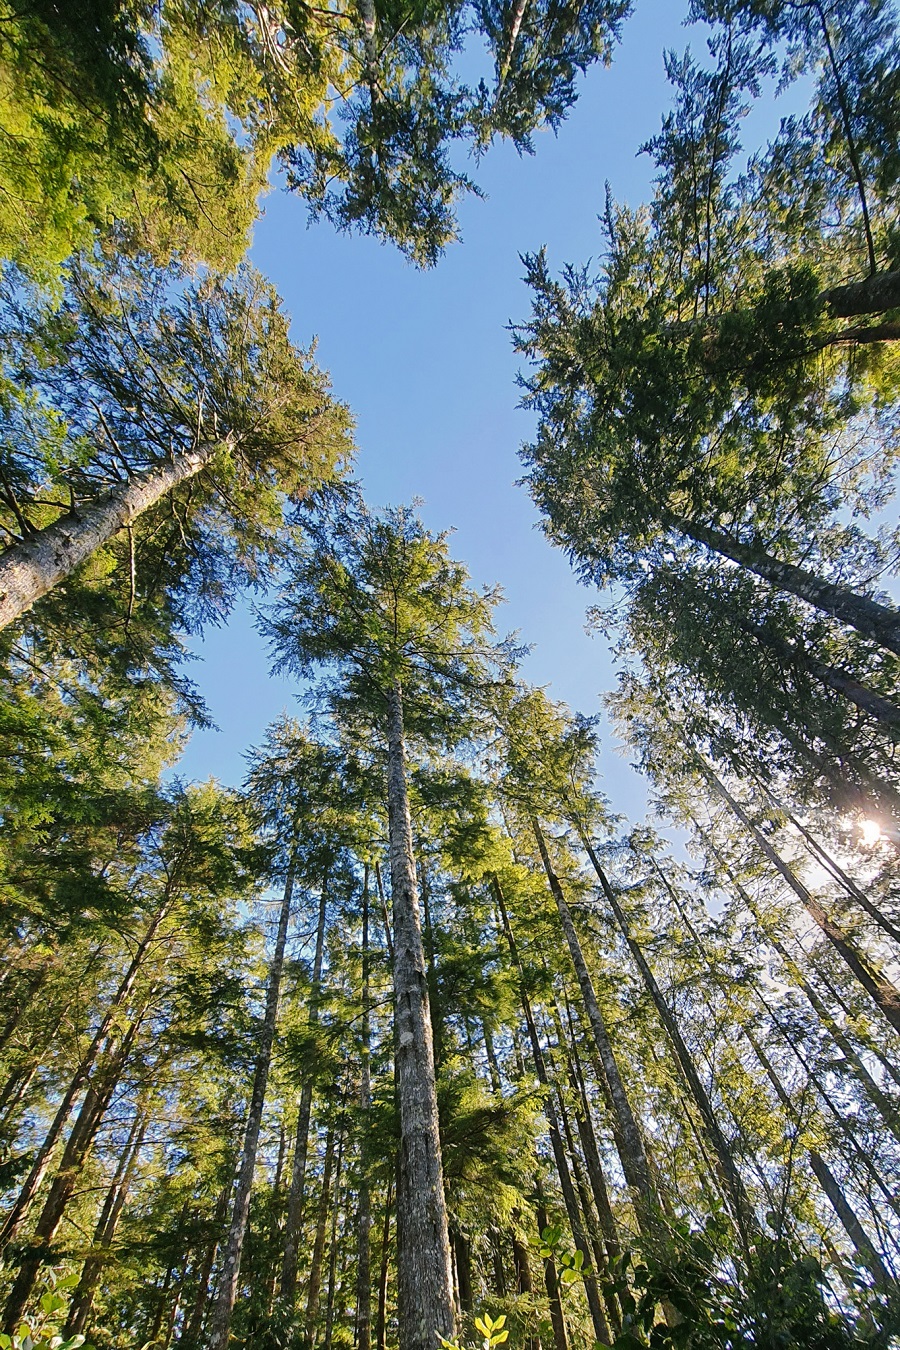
x=879 y=623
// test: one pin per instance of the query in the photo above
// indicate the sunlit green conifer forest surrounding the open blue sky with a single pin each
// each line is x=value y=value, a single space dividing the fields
x=412 y=1040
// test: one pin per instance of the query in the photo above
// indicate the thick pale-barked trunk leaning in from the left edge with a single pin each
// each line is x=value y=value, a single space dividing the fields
x=45 y=558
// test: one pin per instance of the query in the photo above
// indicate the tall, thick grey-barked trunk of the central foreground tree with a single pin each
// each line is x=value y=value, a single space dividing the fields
x=424 y=1272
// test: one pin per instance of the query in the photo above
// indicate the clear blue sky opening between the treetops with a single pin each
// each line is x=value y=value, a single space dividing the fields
x=426 y=362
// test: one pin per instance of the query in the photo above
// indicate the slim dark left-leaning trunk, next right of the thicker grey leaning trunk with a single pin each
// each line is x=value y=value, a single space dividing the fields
x=729 y=1174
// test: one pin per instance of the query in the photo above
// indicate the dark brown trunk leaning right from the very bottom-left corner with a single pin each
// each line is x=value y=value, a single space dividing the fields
x=75 y=1156
